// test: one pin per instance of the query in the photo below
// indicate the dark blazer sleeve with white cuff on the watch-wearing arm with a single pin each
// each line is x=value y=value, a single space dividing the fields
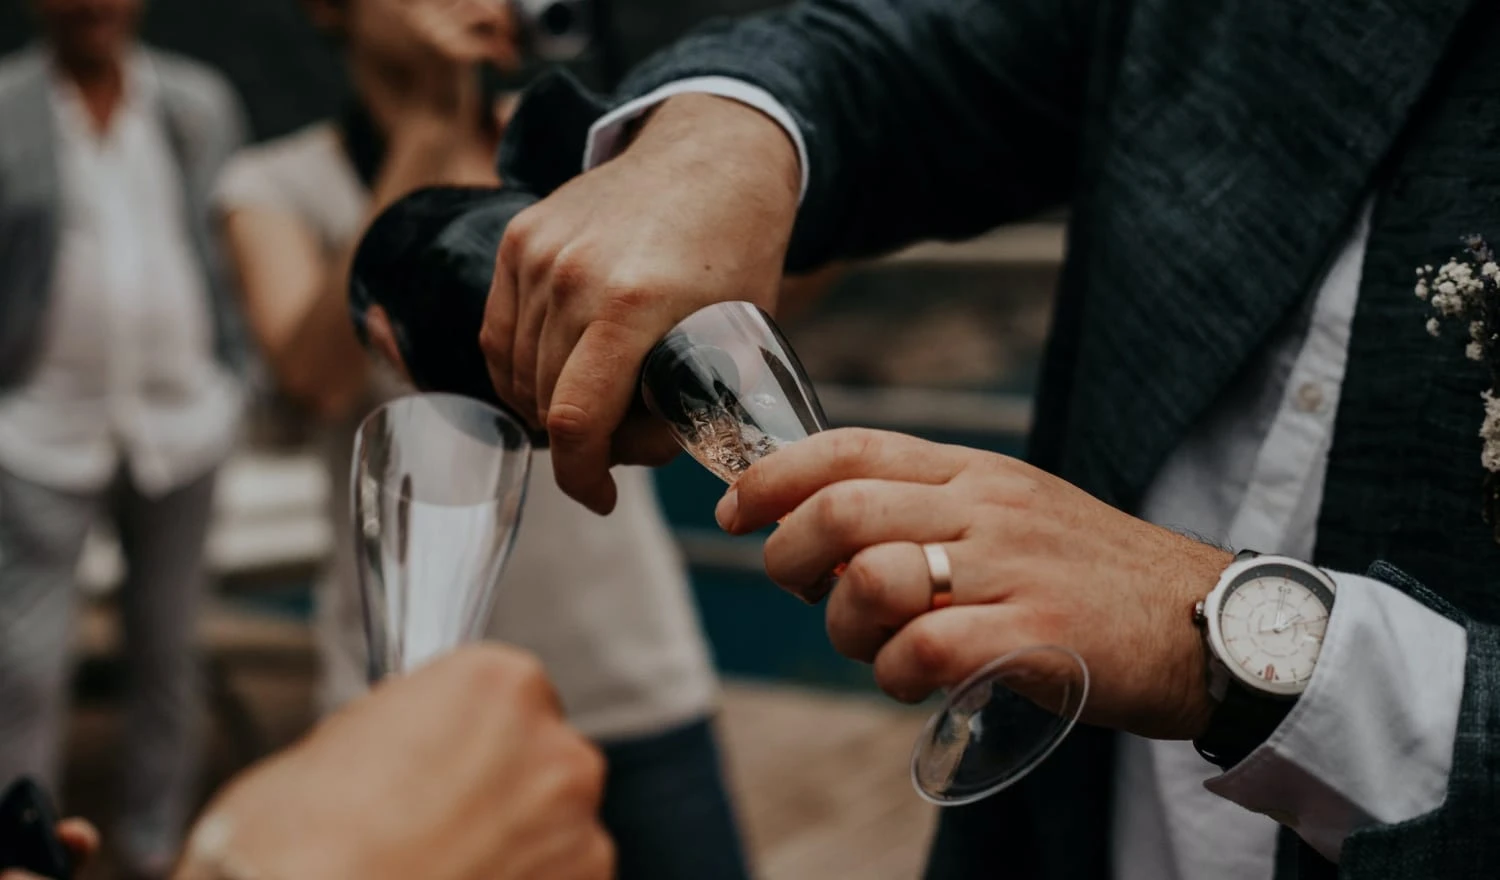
x=1385 y=764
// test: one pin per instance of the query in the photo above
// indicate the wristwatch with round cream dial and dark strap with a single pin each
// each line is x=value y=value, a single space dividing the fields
x=1264 y=627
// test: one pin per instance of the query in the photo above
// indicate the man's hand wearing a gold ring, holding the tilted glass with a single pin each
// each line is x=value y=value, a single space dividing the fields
x=1036 y=561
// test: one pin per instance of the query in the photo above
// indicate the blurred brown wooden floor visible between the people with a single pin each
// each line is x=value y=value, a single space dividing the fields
x=821 y=782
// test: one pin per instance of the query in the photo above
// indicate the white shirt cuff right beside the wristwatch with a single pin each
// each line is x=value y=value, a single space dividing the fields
x=1372 y=740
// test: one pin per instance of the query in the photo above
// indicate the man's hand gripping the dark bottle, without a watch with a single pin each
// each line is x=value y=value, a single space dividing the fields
x=698 y=211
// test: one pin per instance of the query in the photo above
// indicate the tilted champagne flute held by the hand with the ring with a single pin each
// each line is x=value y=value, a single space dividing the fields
x=734 y=392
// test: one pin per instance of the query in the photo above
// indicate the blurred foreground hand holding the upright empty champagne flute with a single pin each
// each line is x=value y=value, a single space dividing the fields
x=461 y=770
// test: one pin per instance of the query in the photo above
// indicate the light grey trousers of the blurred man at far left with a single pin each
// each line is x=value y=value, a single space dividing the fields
x=163 y=539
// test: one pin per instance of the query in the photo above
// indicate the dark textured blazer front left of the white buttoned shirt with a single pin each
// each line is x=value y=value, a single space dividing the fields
x=1238 y=146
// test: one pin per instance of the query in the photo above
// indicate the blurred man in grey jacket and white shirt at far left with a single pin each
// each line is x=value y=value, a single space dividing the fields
x=119 y=391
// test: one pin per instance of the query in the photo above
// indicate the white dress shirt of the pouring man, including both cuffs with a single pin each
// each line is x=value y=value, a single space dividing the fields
x=1372 y=738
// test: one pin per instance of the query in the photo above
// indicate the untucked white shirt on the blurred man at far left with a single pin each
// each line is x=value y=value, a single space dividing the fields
x=127 y=373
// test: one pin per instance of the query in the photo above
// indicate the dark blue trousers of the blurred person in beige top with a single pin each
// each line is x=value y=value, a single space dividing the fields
x=668 y=809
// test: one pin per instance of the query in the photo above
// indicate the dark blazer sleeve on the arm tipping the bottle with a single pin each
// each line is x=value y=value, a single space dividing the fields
x=923 y=119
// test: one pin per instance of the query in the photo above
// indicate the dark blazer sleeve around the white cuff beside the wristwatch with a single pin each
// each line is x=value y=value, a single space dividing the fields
x=1456 y=840
